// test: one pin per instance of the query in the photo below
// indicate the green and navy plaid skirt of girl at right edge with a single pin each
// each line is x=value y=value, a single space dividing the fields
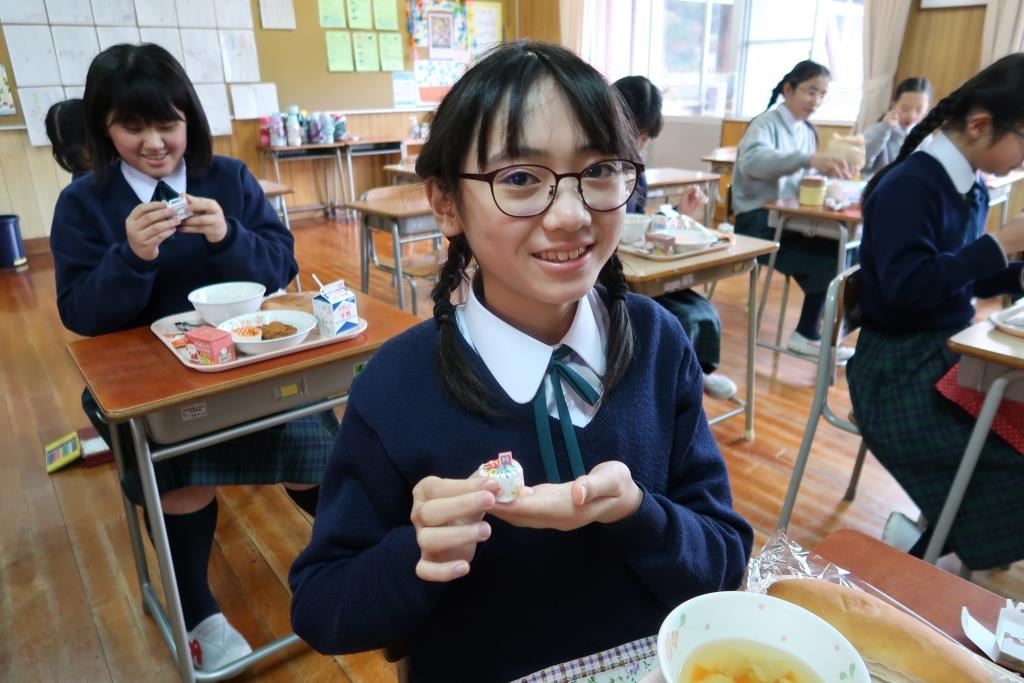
x=920 y=438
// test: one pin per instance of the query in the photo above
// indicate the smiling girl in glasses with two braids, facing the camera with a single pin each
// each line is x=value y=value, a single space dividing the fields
x=629 y=511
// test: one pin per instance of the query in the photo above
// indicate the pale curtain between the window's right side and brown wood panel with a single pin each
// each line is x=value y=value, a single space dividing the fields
x=885 y=24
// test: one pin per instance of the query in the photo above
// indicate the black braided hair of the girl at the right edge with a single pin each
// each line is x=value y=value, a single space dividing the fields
x=997 y=90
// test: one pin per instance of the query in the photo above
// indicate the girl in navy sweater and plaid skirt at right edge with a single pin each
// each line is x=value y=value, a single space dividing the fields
x=925 y=255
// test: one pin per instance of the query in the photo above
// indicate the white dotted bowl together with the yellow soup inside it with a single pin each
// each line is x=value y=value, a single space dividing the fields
x=738 y=637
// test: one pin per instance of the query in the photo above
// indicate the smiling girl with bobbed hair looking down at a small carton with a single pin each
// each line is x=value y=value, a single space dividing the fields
x=123 y=261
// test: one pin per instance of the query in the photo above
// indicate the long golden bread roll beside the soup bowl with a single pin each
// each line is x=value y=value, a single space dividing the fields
x=885 y=636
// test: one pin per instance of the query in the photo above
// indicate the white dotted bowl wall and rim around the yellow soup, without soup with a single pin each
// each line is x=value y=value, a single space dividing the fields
x=736 y=615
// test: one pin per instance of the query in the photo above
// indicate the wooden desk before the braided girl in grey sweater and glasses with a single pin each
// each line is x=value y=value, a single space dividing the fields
x=789 y=215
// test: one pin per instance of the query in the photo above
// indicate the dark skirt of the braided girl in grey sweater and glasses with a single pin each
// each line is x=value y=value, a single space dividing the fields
x=812 y=262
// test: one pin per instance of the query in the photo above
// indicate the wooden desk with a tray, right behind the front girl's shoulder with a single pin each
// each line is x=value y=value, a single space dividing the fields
x=658 y=278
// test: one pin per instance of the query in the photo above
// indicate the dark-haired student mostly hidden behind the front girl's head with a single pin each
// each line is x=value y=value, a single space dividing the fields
x=696 y=314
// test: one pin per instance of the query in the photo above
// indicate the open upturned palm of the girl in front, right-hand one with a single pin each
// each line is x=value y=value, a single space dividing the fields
x=607 y=495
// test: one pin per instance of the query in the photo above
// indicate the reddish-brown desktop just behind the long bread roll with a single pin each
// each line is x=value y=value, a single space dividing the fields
x=934 y=595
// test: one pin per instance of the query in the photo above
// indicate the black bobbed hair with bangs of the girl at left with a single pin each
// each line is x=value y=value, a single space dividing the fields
x=133 y=83
